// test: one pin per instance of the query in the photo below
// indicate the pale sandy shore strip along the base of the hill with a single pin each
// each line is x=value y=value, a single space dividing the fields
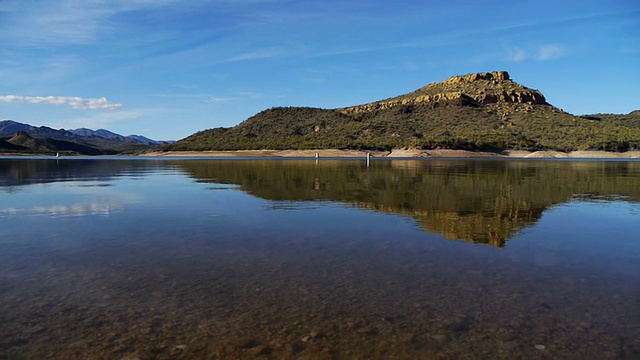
x=405 y=153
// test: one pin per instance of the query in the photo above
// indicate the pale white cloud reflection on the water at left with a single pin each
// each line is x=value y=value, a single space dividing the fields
x=64 y=210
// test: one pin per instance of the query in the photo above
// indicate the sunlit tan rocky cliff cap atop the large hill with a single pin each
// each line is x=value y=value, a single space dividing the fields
x=472 y=89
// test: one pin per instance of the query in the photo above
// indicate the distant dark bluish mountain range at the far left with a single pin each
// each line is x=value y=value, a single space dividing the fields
x=25 y=138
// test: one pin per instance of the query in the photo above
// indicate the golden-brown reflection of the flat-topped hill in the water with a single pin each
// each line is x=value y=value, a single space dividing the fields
x=480 y=201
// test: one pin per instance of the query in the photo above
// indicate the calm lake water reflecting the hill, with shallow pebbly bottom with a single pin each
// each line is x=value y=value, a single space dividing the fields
x=293 y=259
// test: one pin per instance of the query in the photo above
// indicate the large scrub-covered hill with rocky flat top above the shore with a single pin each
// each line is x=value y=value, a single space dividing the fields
x=484 y=111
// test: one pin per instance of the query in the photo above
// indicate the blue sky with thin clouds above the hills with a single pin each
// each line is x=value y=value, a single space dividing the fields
x=167 y=68
